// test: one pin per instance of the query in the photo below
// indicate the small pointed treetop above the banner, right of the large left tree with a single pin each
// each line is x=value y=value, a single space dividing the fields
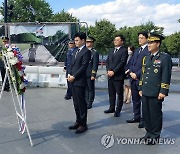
x=63 y=17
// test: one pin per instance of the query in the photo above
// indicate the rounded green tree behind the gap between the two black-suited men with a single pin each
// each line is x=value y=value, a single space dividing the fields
x=104 y=32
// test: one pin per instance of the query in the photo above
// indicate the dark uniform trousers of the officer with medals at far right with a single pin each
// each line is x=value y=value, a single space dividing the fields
x=152 y=114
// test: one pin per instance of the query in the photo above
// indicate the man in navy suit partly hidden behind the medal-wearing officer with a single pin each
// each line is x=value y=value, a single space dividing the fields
x=135 y=73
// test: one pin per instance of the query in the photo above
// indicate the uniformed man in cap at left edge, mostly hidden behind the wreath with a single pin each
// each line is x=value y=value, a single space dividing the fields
x=5 y=40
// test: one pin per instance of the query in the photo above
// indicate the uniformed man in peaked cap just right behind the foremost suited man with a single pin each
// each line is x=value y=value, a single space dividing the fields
x=91 y=72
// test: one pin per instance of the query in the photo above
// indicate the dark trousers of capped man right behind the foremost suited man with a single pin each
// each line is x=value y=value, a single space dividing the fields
x=90 y=91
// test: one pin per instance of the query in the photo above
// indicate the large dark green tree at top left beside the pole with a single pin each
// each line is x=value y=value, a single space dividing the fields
x=29 y=11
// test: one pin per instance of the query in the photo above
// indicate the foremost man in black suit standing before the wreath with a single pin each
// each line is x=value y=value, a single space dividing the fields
x=77 y=77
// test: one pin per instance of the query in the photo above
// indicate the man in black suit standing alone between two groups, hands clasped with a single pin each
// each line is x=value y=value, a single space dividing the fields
x=115 y=63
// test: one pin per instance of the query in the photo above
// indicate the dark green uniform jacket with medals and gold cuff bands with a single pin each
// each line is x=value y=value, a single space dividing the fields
x=156 y=75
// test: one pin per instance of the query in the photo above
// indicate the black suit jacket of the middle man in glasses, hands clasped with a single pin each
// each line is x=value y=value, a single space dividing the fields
x=116 y=62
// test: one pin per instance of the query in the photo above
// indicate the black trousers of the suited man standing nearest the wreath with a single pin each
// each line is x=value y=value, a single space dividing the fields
x=80 y=105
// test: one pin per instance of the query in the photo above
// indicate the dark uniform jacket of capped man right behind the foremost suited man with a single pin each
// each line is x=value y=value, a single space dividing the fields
x=93 y=64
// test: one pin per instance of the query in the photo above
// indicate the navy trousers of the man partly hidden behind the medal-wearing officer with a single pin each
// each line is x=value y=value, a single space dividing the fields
x=136 y=98
